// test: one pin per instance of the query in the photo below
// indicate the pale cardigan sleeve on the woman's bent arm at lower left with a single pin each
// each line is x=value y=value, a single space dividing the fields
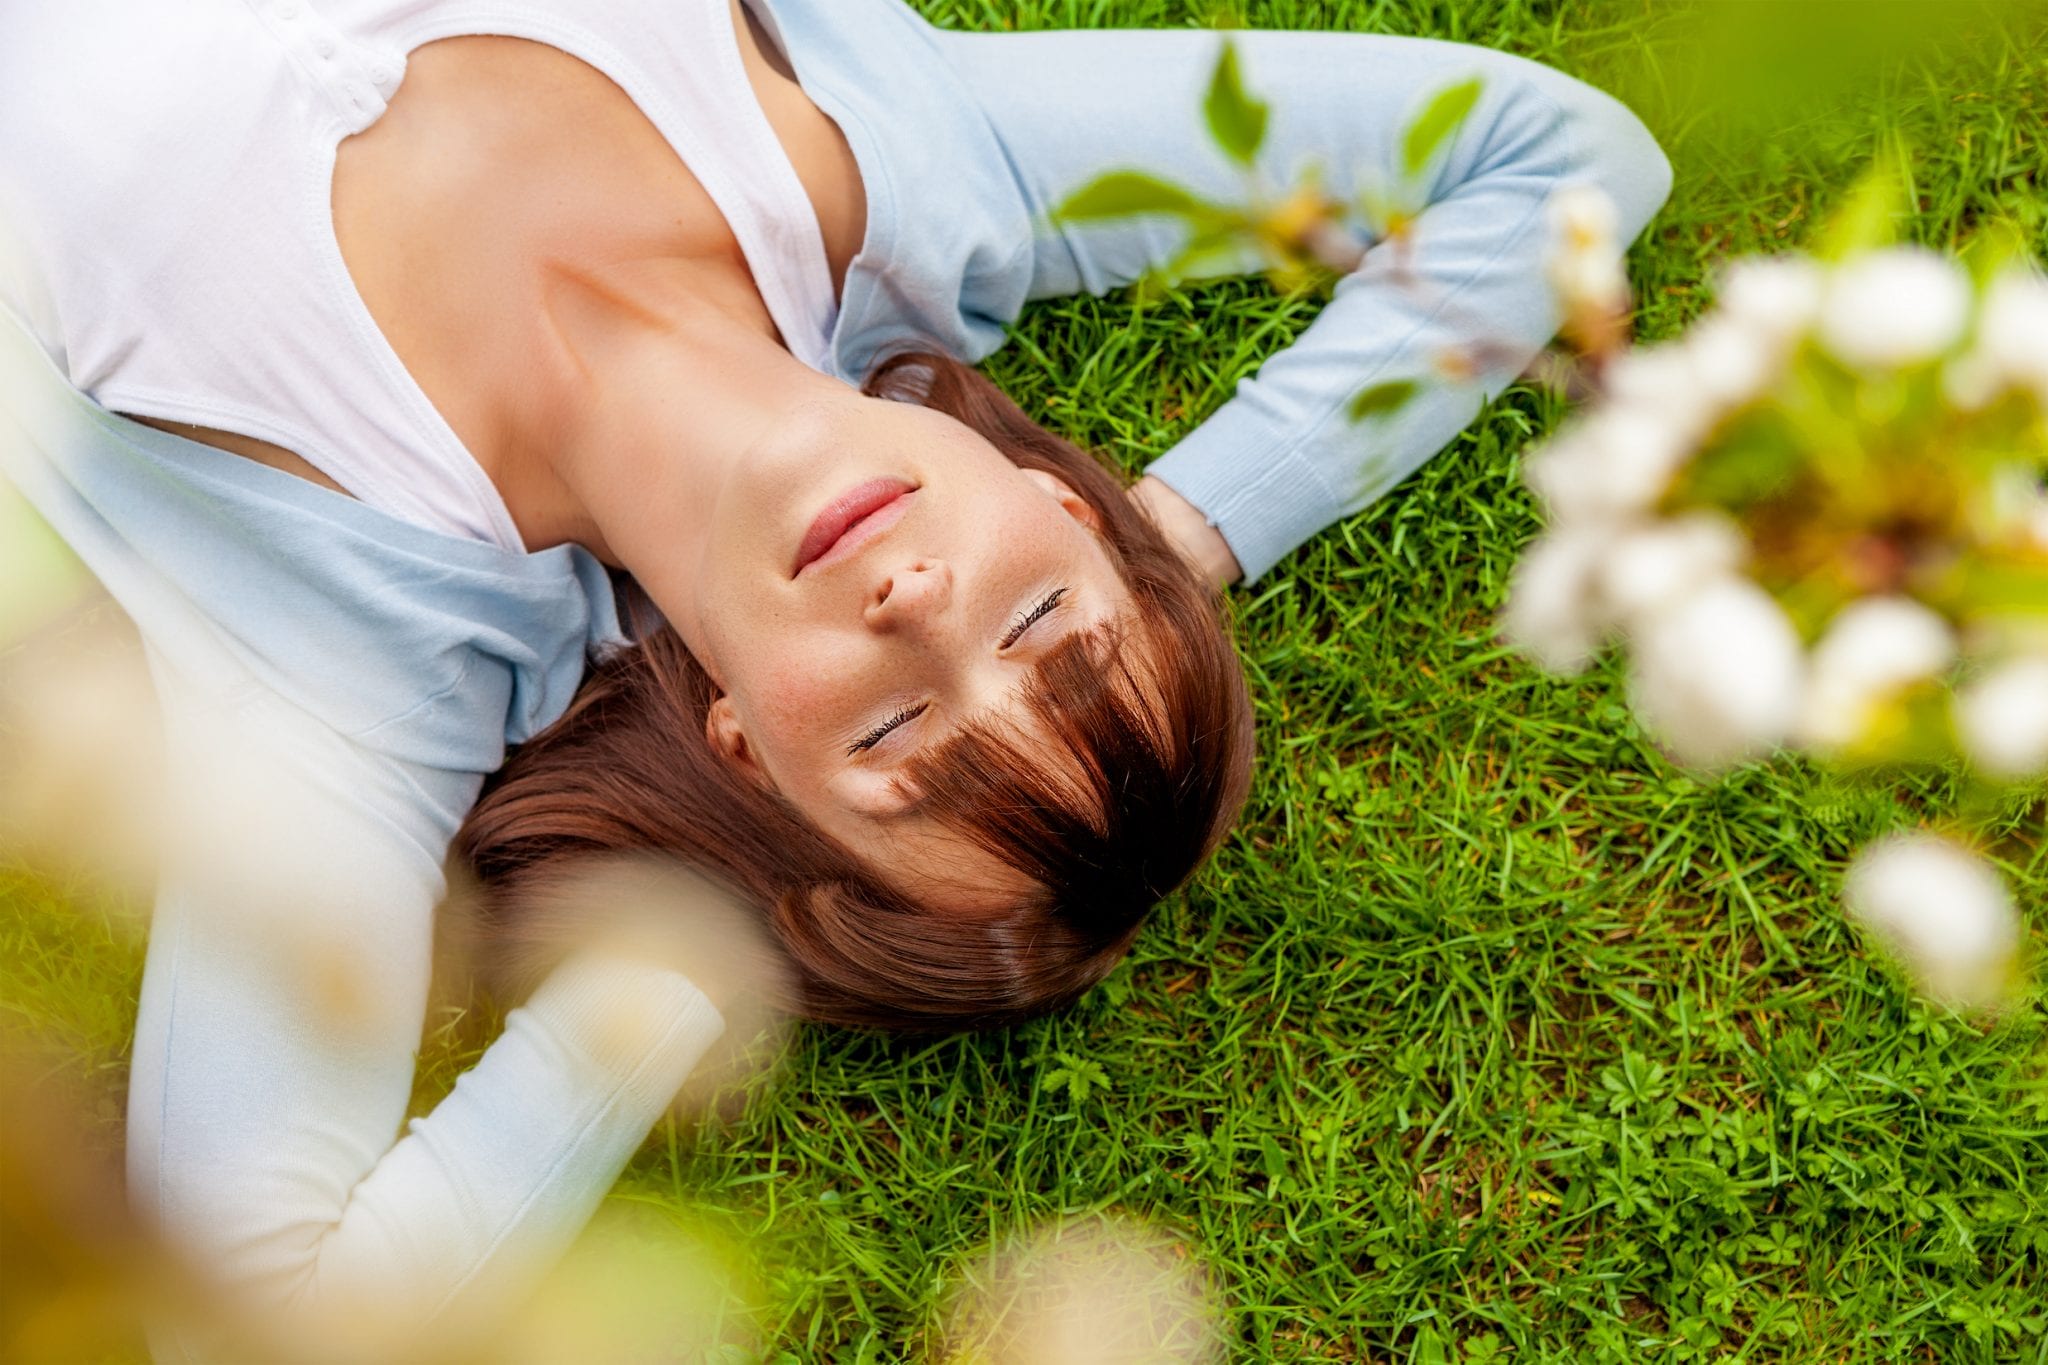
x=284 y=1004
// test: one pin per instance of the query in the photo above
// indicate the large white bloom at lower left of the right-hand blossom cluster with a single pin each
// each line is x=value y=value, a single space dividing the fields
x=1717 y=678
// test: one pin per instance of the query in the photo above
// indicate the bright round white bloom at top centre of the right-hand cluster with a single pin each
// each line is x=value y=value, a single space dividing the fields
x=1893 y=308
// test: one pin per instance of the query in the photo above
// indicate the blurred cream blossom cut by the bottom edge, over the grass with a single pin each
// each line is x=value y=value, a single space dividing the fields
x=1084 y=1292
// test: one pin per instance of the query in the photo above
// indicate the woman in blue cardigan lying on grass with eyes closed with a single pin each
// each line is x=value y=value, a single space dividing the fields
x=421 y=318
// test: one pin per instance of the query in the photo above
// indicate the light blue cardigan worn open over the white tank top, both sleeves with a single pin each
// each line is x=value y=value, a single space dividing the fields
x=390 y=666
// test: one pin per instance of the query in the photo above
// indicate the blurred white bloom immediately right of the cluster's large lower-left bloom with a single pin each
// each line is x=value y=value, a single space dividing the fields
x=1873 y=650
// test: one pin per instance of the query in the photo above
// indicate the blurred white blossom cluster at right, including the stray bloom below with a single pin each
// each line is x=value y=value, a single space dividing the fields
x=1820 y=521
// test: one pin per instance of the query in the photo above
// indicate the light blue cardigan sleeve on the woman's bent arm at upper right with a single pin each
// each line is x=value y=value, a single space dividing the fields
x=1281 y=459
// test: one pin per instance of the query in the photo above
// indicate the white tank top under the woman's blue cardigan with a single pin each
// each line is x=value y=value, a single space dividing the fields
x=167 y=181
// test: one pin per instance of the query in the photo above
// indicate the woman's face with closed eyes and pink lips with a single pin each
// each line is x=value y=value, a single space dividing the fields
x=876 y=576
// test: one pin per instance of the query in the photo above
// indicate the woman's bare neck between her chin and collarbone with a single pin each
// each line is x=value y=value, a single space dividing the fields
x=667 y=373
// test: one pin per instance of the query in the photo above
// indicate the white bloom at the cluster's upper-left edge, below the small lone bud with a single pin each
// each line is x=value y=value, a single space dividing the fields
x=1613 y=464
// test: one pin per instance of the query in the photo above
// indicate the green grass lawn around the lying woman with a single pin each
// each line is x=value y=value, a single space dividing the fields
x=1488 y=1028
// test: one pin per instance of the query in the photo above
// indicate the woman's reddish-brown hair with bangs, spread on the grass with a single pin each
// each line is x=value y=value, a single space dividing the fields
x=1152 y=717
